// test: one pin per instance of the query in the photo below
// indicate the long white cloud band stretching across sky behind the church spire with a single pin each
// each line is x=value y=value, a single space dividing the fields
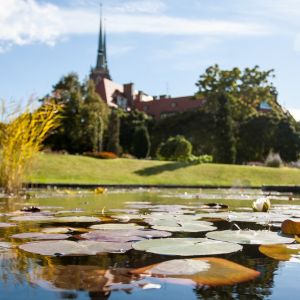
x=29 y=21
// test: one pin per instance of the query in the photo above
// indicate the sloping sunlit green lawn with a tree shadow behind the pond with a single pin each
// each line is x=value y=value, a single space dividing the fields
x=54 y=168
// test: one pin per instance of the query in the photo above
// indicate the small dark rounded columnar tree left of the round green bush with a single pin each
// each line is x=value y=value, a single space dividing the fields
x=141 y=142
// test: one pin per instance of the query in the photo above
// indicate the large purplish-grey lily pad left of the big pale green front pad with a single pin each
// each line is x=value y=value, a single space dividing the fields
x=70 y=248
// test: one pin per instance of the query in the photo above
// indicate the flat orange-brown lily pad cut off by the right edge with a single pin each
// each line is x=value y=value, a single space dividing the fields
x=281 y=251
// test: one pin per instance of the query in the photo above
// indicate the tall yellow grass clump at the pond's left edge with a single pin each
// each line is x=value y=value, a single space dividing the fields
x=21 y=137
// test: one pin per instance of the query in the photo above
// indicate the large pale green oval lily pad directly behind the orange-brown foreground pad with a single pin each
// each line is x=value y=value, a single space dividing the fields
x=186 y=246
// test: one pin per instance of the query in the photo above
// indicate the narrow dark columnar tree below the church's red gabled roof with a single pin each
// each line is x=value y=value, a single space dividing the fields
x=113 y=143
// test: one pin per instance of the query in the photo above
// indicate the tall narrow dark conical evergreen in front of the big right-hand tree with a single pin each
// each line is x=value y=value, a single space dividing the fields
x=225 y=144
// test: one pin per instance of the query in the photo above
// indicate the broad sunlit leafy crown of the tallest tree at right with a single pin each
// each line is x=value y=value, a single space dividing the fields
x=246 y=89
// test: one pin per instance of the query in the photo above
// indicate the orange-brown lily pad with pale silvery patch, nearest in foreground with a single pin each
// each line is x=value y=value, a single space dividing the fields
x=205 y=271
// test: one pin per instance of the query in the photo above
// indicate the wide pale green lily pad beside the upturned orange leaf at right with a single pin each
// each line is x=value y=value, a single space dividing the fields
x=249 y=237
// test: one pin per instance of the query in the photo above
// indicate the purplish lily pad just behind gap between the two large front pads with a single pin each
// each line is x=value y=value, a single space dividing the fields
x=124 y=235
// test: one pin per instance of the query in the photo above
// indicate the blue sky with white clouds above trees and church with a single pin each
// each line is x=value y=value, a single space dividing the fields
x=161 y=45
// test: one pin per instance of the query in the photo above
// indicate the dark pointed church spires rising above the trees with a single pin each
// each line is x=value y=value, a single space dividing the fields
x=101 y=70
